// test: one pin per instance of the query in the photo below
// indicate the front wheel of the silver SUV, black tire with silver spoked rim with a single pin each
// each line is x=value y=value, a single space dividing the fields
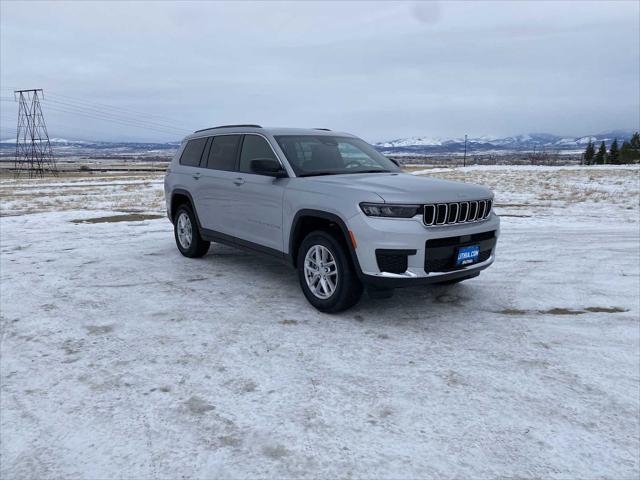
x=347 y=288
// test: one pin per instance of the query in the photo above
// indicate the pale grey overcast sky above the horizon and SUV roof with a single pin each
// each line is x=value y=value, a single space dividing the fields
x=379 y=70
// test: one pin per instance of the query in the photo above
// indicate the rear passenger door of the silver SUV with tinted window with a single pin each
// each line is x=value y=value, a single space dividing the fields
x=215 y=186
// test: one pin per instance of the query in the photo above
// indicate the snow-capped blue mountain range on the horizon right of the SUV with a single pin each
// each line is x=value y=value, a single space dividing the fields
x=518 y=143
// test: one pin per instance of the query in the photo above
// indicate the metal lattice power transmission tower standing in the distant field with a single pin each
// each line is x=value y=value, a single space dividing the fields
x=33 y=149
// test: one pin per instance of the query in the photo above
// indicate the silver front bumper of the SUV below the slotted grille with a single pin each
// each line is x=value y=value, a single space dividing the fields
x=373 y=233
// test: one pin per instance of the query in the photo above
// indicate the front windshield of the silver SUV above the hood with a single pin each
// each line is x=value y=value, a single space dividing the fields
x=327 y=155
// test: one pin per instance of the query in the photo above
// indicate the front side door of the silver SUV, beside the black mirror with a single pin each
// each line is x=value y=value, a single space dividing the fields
x=258 y=199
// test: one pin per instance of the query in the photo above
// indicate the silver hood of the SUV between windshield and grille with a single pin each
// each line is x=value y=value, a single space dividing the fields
x=406 y=188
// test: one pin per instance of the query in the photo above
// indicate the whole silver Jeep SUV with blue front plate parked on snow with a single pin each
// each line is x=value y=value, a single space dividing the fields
x=330 y=205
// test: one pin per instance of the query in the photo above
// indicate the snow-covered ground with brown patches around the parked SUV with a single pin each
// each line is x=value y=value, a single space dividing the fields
x=120 y=358
